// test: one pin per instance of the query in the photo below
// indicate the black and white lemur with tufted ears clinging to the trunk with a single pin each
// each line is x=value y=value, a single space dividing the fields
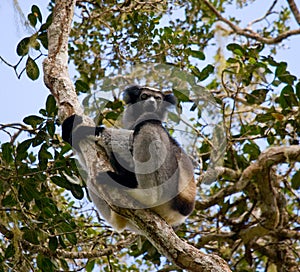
x=159 y=174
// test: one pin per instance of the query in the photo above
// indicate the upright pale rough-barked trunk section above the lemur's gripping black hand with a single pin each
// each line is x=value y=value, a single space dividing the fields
x=56 y=75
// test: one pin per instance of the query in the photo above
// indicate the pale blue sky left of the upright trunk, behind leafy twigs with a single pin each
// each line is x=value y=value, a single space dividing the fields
x=18 y=97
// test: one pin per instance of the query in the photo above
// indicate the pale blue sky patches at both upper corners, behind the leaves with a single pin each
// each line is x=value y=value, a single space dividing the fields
x=22 y=97
